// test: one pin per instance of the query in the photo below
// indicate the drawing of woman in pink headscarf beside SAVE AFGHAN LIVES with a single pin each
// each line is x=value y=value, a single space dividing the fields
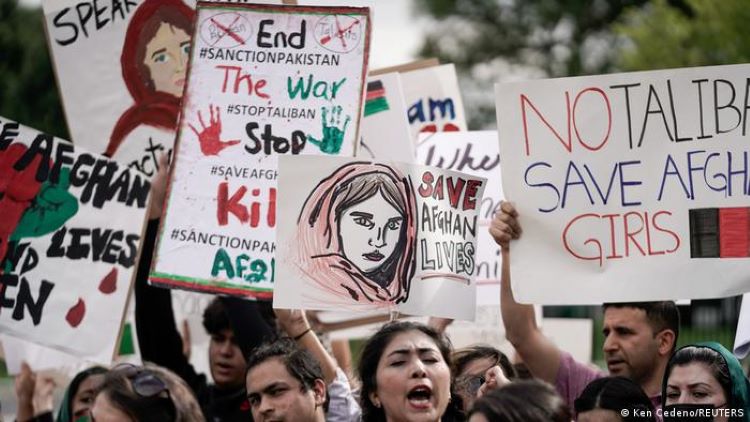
x=357 y=234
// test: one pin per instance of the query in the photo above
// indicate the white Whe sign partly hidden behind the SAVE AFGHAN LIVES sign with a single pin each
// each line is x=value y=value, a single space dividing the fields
x=476 y=153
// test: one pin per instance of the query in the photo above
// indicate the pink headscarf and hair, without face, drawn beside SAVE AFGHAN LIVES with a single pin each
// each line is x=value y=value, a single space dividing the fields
x=320 y=253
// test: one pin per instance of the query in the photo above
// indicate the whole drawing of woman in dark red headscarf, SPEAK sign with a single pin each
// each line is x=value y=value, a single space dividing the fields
x=154 y=64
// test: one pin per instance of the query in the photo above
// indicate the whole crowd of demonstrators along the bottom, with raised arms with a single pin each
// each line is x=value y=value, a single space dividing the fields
x=271 y=366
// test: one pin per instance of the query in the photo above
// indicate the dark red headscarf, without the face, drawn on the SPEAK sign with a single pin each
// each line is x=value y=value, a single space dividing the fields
x=151 y=107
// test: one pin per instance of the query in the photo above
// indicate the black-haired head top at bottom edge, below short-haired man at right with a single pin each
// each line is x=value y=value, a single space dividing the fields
x=616 y=394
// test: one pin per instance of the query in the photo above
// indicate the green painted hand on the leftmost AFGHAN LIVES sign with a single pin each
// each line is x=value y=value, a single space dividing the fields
x=51 y=208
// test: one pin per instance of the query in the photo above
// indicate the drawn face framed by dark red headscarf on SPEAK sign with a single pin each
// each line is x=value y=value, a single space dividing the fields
x=166 y=59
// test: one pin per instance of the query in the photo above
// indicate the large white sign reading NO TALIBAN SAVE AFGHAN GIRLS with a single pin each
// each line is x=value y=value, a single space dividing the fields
x=630 y=187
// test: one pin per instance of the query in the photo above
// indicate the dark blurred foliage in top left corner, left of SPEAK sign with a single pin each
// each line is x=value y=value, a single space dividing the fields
x=28 y=93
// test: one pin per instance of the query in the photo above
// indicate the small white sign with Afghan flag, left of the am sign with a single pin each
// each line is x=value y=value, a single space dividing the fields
x=385 y=129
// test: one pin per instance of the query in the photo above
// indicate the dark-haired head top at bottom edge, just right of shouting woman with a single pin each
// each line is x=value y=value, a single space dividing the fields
x=523 y=401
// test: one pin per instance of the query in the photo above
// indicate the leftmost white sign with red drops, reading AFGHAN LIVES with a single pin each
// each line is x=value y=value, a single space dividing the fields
x=69 y=239
